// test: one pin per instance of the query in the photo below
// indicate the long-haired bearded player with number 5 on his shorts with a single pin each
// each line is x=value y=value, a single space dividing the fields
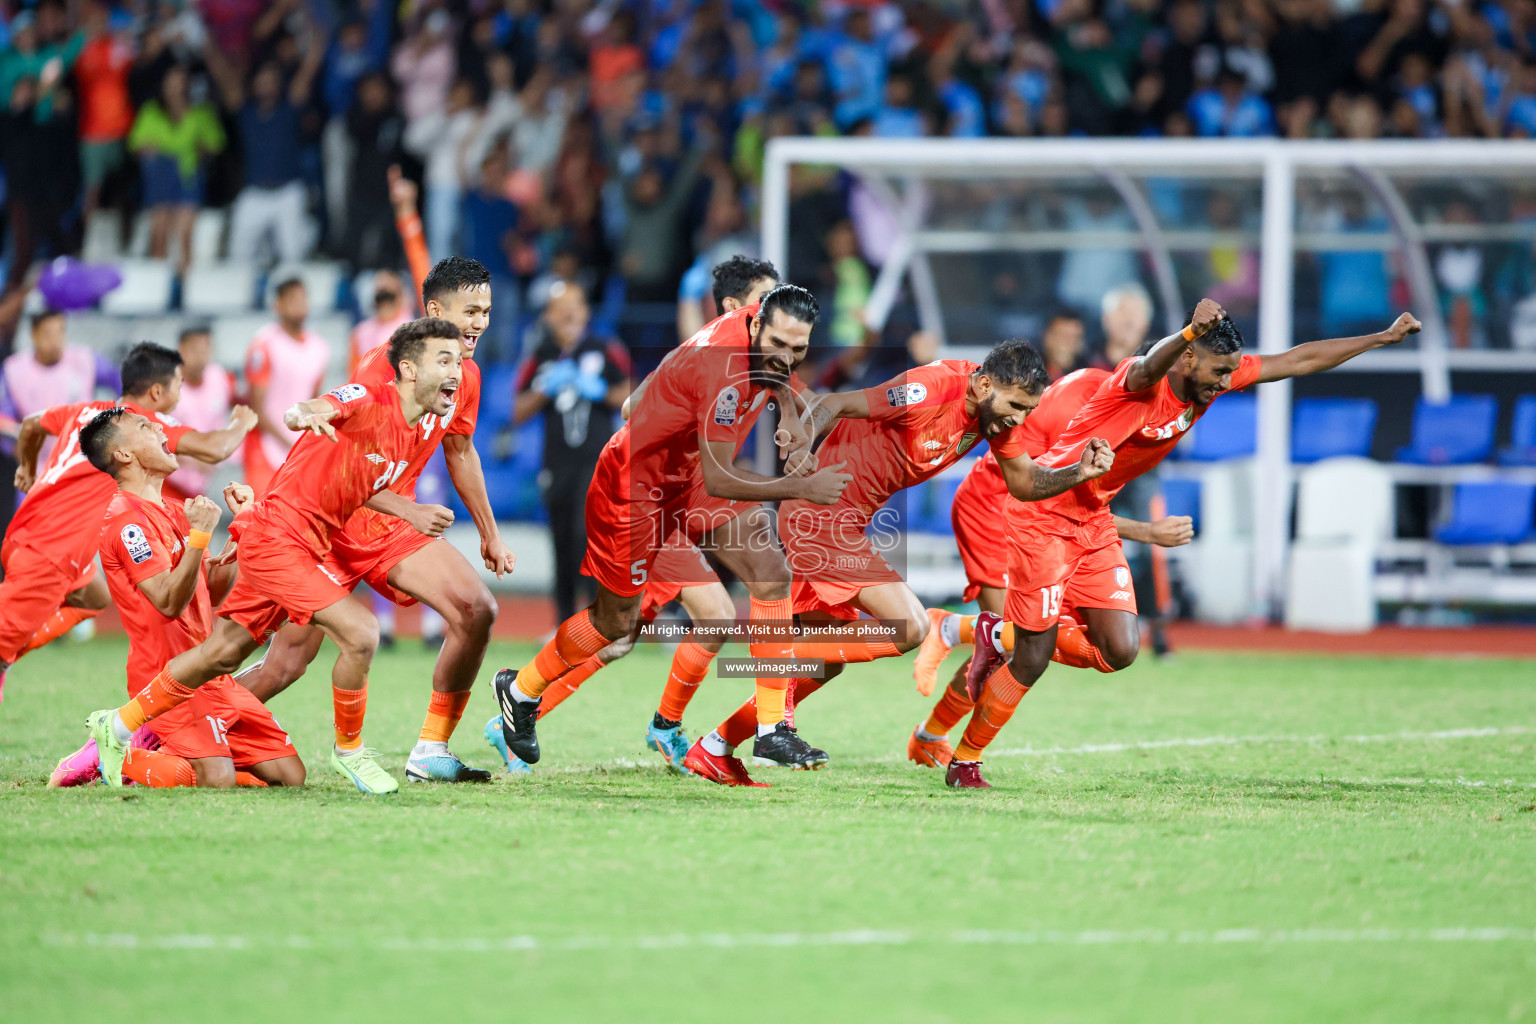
x=670 y=467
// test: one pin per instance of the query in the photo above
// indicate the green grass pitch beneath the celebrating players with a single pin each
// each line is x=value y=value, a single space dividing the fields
x=1091 y=885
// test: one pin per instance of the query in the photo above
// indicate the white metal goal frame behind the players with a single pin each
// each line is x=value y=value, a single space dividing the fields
x=901 y=174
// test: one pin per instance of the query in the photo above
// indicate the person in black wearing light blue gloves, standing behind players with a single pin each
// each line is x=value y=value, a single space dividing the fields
x=578 y=383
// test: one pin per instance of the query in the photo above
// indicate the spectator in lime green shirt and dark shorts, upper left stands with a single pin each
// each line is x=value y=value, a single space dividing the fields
x=174 y=144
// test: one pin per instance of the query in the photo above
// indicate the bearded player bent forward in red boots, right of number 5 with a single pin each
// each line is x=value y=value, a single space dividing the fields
x=896 y=437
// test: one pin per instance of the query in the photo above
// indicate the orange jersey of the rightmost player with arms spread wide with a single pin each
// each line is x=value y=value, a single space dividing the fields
x=1140 y=426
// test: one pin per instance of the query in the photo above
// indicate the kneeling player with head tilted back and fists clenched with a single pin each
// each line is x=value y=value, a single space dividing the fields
x=165 y=589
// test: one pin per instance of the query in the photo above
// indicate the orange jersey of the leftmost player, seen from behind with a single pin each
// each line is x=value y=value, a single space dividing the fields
x=64 y=510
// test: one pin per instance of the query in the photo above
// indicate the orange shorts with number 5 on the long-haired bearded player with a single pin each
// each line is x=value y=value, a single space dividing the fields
x=626 y=538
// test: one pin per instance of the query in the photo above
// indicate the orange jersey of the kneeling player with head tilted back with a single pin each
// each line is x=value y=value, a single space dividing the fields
x=144 y=540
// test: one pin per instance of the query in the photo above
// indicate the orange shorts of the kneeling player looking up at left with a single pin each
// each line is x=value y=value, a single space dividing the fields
x=223 y=719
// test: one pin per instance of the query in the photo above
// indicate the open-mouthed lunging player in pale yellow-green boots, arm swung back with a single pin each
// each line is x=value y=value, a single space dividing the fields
x=359 y=441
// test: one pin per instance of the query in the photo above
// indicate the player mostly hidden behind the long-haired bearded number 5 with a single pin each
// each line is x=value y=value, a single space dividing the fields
x=678 y=573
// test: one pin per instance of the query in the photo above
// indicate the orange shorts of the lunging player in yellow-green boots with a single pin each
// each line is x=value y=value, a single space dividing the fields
x=280 y=581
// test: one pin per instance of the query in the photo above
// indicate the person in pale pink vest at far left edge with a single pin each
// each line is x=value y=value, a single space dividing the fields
x=53 y=374
